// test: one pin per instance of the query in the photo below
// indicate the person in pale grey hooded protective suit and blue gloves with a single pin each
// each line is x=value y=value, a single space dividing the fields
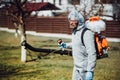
x=84 y=57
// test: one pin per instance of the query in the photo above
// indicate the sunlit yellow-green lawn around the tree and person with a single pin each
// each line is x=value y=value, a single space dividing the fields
x=52 y=66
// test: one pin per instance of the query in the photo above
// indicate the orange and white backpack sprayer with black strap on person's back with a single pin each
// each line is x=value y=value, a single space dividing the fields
x=101 y=42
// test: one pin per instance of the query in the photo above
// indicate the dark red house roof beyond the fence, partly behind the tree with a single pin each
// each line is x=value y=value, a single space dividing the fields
x=29 y=7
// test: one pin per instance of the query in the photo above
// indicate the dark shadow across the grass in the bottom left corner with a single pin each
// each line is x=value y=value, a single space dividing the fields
x=9 y=71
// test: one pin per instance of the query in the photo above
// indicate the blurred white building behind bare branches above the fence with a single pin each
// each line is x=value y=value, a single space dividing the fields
x=107 y=9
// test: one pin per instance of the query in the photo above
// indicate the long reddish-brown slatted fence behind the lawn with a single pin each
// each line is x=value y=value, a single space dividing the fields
x=56 y=25
